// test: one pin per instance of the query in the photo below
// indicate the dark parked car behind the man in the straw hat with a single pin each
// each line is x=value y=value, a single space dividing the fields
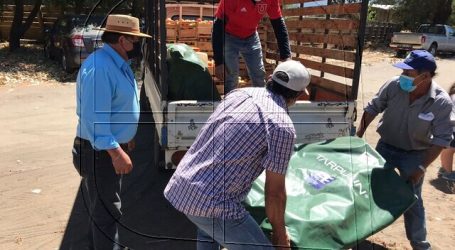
x=72 y=38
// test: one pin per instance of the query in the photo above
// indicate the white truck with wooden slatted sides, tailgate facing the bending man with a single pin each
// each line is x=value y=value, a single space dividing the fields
x=329 y=112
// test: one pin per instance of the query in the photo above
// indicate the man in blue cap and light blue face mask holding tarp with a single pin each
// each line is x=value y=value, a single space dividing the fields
x=415 y=127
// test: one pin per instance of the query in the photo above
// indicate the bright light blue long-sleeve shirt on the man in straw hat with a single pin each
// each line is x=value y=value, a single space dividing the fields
x=107 y=100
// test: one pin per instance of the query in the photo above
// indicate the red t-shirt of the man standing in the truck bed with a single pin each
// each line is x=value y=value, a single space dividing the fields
x=243 y=16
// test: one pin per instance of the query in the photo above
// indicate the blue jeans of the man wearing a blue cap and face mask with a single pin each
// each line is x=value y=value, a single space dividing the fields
x=407 y=163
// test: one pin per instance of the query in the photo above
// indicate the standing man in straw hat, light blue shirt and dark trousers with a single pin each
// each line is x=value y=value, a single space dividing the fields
x=108 y=111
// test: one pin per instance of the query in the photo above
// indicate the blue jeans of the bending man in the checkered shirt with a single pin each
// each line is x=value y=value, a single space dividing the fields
x=239 y=234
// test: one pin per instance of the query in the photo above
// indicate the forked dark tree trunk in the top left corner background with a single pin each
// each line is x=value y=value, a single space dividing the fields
x=18 y=28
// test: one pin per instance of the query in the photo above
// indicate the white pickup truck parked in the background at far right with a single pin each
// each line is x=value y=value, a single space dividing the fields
x=433 y=38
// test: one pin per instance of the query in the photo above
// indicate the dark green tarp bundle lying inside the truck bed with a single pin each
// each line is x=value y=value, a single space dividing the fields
x=188 y=76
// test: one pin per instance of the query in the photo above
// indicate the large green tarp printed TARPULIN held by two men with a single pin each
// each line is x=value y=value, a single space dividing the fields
x=338 y=194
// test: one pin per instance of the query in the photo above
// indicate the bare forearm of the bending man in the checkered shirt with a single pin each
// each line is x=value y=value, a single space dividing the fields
x=275 y=205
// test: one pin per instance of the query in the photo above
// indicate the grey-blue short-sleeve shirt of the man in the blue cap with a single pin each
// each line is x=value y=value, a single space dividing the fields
x=415 y=126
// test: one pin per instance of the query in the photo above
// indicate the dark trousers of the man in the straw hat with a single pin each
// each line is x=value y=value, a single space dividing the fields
x=100 y=187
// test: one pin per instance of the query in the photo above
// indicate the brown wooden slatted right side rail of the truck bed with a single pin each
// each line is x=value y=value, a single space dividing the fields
x=325 y=39
